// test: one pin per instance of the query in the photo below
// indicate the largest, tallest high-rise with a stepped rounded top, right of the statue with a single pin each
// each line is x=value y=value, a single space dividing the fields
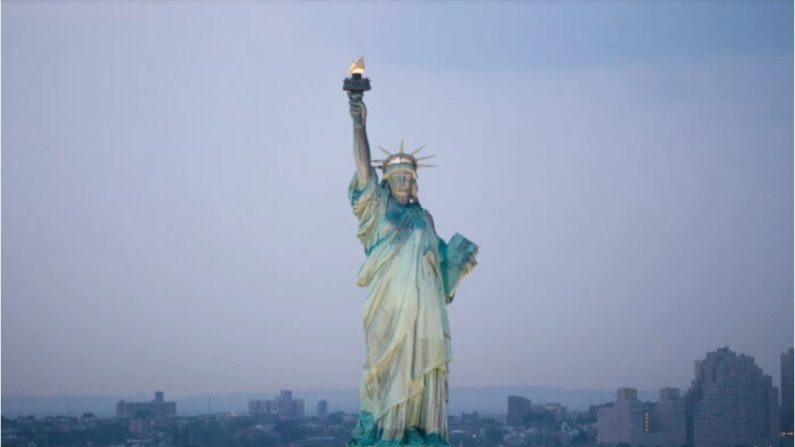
x=732 y=402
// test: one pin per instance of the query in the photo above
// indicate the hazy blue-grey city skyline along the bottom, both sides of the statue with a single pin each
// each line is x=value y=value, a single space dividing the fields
x=730 y=402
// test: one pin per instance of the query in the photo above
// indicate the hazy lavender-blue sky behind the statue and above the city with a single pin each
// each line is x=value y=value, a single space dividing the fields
x=174 y=176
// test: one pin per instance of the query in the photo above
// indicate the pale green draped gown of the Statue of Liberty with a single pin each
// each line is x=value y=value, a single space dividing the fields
x=403 y=393
